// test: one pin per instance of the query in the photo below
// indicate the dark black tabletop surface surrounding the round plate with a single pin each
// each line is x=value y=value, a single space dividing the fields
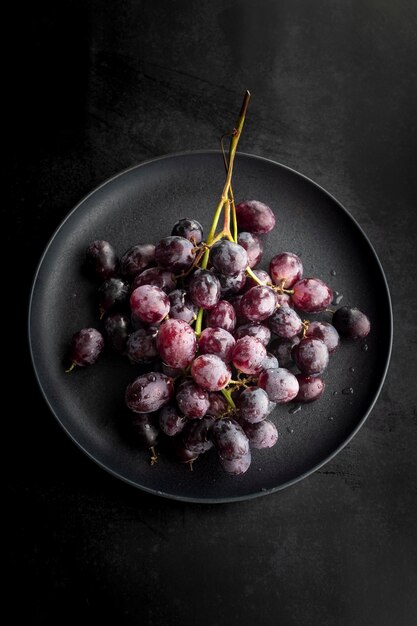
x=96 y=87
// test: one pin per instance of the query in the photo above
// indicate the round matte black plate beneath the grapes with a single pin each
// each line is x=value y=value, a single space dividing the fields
x=141 y=205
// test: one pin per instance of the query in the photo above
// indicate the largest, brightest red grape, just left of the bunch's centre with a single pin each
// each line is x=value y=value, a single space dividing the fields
x=176 y=343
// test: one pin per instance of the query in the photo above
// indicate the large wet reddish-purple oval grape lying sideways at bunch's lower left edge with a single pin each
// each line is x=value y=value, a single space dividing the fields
x=149 y=392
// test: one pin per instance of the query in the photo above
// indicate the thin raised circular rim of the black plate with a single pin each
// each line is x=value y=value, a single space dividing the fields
x=229 y=499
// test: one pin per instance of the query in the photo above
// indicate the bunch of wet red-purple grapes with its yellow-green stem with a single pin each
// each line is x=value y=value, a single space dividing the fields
x=222 y=342
